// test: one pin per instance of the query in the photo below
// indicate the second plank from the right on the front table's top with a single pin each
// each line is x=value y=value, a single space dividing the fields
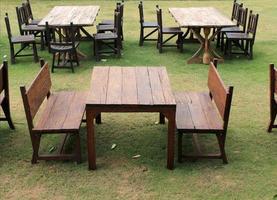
x=156 y=86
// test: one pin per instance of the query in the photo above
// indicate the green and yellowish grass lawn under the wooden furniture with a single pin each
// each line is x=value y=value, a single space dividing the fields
x=252 y=153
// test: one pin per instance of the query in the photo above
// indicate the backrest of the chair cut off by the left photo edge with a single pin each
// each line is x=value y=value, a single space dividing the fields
x=4 y=82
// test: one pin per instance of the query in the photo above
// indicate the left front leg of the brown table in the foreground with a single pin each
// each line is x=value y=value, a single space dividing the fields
x=91 y=139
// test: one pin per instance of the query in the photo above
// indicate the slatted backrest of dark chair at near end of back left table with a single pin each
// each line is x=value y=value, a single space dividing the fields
x=60 y=35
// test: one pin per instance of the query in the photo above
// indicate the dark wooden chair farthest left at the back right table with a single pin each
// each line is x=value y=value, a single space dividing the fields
x=153 y=26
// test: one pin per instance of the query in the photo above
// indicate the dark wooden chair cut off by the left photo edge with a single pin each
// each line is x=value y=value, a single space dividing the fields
x=4 y=94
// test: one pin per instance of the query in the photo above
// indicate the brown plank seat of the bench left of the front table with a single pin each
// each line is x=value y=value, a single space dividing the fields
x=63 y=112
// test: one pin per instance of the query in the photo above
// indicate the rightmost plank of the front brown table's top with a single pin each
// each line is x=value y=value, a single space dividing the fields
x=168 y=95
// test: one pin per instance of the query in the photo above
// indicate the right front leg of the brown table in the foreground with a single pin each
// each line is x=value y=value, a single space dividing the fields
x=170 y=115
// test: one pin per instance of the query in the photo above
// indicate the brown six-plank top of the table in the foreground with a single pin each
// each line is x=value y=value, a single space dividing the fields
x=130 y=86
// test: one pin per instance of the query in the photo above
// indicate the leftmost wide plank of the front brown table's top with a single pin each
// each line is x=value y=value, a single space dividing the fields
x=99 y=85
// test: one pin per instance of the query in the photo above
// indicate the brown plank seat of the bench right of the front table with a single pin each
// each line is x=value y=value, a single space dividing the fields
x=196 y=112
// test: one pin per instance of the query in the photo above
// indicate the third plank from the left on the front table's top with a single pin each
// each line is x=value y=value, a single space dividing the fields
x=129 y=86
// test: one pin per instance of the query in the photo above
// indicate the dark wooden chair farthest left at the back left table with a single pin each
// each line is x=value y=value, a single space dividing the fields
x=23 y=40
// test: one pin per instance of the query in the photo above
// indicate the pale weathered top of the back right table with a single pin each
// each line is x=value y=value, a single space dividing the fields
x=200 y=17
